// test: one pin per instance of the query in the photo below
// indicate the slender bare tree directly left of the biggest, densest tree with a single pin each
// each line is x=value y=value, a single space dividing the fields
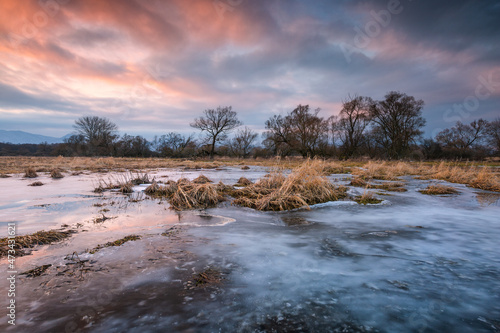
x=354 y=119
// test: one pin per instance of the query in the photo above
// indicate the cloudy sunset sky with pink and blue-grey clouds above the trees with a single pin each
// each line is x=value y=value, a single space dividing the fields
x=153 y=66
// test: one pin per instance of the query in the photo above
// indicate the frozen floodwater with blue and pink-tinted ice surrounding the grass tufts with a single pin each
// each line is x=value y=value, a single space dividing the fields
x=413 y=263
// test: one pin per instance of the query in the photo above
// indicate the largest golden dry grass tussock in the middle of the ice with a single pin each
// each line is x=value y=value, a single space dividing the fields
x=305 y=186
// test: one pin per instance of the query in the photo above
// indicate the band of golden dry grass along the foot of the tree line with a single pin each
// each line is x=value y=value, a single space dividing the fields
x=475 y=174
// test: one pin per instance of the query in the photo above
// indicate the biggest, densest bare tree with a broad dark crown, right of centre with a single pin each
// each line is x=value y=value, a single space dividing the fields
x=398 y=121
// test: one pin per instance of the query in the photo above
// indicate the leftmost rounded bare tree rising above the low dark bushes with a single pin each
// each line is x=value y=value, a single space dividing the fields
x=99 y=133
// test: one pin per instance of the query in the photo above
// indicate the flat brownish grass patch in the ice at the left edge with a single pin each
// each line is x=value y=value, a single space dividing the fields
x=29 y=241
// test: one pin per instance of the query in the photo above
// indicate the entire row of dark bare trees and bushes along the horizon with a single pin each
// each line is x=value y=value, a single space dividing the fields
x=390 y=128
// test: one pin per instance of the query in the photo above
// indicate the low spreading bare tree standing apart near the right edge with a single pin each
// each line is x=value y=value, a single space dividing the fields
x=461 y=137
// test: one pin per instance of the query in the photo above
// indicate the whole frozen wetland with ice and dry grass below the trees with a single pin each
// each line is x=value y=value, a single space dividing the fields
x=158 y=245
